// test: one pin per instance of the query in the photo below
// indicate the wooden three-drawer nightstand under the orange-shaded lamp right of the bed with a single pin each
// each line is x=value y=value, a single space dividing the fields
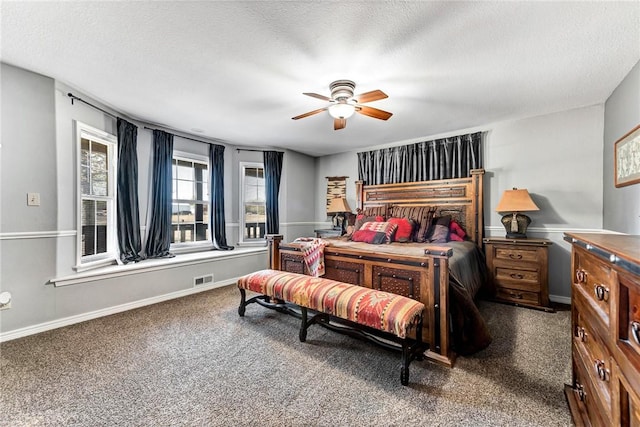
x=519 y=270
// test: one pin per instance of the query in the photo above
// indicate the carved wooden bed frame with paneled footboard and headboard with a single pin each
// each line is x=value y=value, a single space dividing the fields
x=423 y=275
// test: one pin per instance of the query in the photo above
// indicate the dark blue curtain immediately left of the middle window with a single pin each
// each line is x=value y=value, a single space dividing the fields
x=159 y=235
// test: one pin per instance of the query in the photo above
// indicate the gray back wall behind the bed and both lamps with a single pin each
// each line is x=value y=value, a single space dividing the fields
x=548 y=155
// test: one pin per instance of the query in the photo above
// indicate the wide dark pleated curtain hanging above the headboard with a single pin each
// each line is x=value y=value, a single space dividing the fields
x=452 y=157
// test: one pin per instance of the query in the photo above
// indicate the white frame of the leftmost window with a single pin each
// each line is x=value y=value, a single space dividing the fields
x=84 y=131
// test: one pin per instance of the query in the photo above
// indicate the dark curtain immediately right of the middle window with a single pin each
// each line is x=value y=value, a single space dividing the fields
x=216 y=163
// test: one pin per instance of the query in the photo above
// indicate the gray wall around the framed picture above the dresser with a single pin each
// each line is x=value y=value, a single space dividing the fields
x=622 y=113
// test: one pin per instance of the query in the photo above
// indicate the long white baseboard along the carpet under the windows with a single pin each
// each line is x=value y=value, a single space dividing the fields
x=71 y=320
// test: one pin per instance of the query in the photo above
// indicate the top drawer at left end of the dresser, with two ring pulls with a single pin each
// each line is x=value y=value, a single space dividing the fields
x=595 y=278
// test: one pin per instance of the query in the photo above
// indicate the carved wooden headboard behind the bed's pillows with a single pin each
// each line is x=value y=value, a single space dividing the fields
x=461 y=198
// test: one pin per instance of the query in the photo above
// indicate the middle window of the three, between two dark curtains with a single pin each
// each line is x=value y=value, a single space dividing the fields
x=190 y=212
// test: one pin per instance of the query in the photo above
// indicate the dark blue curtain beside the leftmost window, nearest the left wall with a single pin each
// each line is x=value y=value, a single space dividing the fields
x=128 y=214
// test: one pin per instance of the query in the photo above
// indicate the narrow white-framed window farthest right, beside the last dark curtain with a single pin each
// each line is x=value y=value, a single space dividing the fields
x=253 y=216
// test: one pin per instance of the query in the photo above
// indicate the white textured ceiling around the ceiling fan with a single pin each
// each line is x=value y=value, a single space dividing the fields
x=235 y=71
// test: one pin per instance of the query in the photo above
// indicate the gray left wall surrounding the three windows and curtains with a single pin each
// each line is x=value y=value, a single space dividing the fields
x=38 y=244
